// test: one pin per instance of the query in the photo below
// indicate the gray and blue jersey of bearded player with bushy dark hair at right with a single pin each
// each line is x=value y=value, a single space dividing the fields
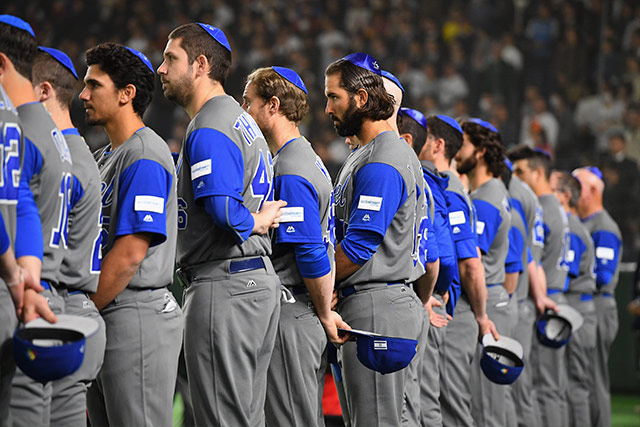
x=492 y=208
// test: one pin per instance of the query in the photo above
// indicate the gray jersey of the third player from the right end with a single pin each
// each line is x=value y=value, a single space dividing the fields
x=556 y=242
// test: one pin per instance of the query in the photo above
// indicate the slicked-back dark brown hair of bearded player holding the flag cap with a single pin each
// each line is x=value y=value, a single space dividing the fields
x=380 y=104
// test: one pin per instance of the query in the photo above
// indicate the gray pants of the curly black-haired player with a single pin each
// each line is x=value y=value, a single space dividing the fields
x=136 y=383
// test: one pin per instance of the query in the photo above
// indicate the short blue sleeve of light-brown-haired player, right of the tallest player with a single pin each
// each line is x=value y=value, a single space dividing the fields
x=301 y=217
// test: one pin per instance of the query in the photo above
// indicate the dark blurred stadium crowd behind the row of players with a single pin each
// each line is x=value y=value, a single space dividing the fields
x=561 y=75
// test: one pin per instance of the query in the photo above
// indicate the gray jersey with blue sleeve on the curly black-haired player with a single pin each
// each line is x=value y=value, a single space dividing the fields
x=139 y=196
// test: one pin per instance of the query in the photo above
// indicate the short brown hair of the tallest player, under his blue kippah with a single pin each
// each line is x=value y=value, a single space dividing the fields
x=196 y=41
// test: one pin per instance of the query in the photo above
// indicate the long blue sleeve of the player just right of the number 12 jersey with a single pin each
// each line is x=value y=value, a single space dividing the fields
x=29 y=240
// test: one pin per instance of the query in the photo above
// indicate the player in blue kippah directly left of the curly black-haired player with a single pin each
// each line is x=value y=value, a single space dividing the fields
x=55 y=80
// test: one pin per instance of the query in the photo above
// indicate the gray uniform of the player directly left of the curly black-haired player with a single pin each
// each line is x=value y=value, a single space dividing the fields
x=78 y=277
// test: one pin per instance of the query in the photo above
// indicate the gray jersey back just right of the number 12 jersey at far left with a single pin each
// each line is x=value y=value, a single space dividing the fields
x=51 y=187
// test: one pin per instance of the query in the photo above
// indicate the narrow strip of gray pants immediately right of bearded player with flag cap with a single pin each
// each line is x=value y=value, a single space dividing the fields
x=430 y=376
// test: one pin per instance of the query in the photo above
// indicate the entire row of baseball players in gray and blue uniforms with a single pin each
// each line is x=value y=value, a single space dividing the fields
x=256 y=320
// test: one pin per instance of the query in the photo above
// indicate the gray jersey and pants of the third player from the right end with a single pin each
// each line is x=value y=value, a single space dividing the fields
x=548 y=364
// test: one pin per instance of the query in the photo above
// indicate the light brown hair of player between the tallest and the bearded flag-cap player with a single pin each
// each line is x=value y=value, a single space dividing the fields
x=268 y=83
